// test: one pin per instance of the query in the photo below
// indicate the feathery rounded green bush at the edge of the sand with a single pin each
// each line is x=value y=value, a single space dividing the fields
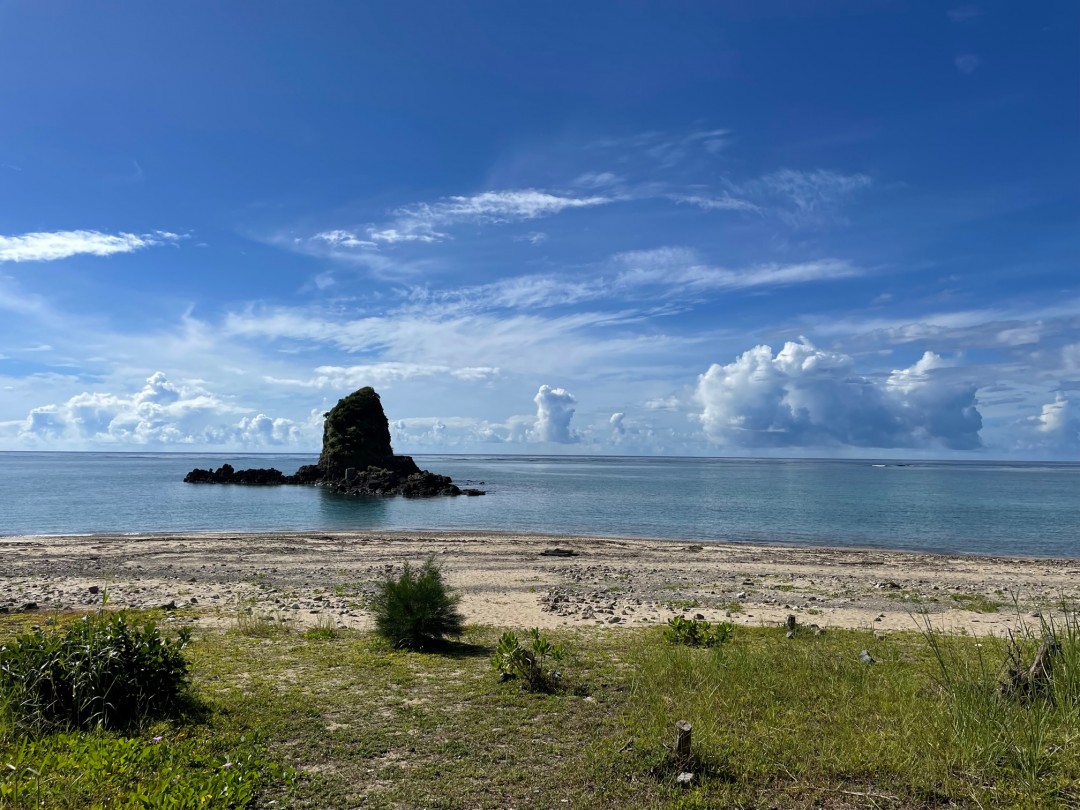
x=417 y=609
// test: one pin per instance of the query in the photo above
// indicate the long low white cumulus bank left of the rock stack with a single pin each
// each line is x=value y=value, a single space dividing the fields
x=161 y=413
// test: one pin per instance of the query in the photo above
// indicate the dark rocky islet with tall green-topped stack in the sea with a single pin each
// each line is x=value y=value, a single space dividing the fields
x=357 y=458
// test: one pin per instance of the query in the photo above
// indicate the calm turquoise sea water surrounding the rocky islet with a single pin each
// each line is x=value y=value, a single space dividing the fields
x=1008 y=509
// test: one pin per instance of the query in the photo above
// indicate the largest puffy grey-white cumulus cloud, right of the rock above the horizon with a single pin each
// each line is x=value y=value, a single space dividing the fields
x=805 y=397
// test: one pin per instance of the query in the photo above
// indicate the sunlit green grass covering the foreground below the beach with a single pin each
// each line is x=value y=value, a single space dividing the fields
x=777 y=723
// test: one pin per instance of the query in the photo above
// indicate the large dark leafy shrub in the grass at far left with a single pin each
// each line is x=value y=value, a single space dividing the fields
x=101 y=671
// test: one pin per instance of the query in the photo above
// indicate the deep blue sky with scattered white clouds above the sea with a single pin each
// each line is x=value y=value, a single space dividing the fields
x=781 y=228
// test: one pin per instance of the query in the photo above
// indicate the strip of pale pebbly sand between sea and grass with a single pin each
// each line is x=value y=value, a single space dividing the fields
x=307 y=577
